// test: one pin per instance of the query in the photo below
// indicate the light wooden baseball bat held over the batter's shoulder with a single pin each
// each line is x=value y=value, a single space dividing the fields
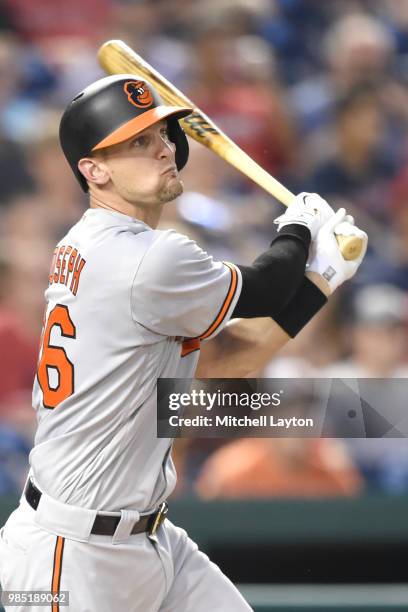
x=116 y=57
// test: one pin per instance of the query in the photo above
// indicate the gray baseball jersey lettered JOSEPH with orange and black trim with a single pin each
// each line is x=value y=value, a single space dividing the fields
x=126 y=304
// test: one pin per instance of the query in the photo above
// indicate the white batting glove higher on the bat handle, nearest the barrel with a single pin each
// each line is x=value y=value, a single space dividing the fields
x=307 y=209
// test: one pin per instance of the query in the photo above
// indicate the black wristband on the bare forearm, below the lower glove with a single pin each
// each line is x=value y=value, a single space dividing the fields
x=307 y=301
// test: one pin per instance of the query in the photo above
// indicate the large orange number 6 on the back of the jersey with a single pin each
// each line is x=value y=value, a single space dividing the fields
x=55 y=357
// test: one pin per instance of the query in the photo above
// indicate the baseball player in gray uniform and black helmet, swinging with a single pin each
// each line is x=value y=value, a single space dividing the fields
x=126 y=304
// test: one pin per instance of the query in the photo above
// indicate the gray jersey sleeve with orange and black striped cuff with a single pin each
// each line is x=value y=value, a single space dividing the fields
x=180 y=290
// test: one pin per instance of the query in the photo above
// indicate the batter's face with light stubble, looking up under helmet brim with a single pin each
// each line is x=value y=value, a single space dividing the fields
x=142 y=169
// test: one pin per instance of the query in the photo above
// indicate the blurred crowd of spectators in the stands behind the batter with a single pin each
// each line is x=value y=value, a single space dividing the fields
x=317 y=93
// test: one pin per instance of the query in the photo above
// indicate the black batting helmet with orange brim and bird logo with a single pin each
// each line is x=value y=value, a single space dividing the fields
x=112 y=110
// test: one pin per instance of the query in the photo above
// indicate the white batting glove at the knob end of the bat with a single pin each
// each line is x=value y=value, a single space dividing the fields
x=325 y=256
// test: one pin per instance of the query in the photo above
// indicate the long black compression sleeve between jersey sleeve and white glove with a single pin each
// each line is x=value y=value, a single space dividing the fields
x=275 y=276
